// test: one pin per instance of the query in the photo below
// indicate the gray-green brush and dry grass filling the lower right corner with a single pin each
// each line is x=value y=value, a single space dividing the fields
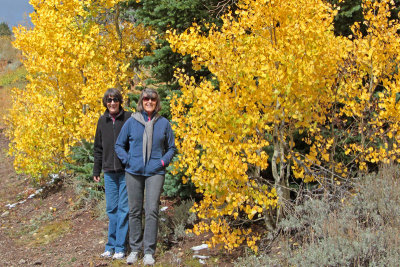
x=362 y=229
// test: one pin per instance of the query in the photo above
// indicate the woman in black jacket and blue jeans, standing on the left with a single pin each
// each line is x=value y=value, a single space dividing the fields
x=108 y=128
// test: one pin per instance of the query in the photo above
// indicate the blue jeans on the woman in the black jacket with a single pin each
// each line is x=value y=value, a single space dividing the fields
x=117 y=210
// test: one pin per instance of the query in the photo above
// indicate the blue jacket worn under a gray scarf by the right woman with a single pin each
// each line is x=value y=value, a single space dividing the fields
x=129 y=147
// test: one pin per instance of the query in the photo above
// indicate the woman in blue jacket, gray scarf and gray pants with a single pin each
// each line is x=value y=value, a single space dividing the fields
x=145 y=146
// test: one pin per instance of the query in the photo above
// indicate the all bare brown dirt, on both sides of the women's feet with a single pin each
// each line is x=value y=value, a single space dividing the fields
x=47 y=231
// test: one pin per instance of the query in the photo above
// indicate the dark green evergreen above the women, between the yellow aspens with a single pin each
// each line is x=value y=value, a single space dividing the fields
x=172 y=15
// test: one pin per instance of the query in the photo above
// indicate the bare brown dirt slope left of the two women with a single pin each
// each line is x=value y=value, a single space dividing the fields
x=44 y=231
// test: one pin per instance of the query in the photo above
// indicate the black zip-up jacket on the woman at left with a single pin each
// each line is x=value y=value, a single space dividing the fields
x=107 y=132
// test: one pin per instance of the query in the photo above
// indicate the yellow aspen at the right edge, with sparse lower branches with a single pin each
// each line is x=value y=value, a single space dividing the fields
x=364 y=125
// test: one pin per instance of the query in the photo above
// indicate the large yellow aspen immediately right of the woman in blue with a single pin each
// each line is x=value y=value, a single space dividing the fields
x=275 y=64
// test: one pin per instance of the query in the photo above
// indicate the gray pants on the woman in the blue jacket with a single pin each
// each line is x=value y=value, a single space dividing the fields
x=139 y=187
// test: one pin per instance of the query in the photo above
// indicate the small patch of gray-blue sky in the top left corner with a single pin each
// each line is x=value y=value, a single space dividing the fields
x=15 y=12
